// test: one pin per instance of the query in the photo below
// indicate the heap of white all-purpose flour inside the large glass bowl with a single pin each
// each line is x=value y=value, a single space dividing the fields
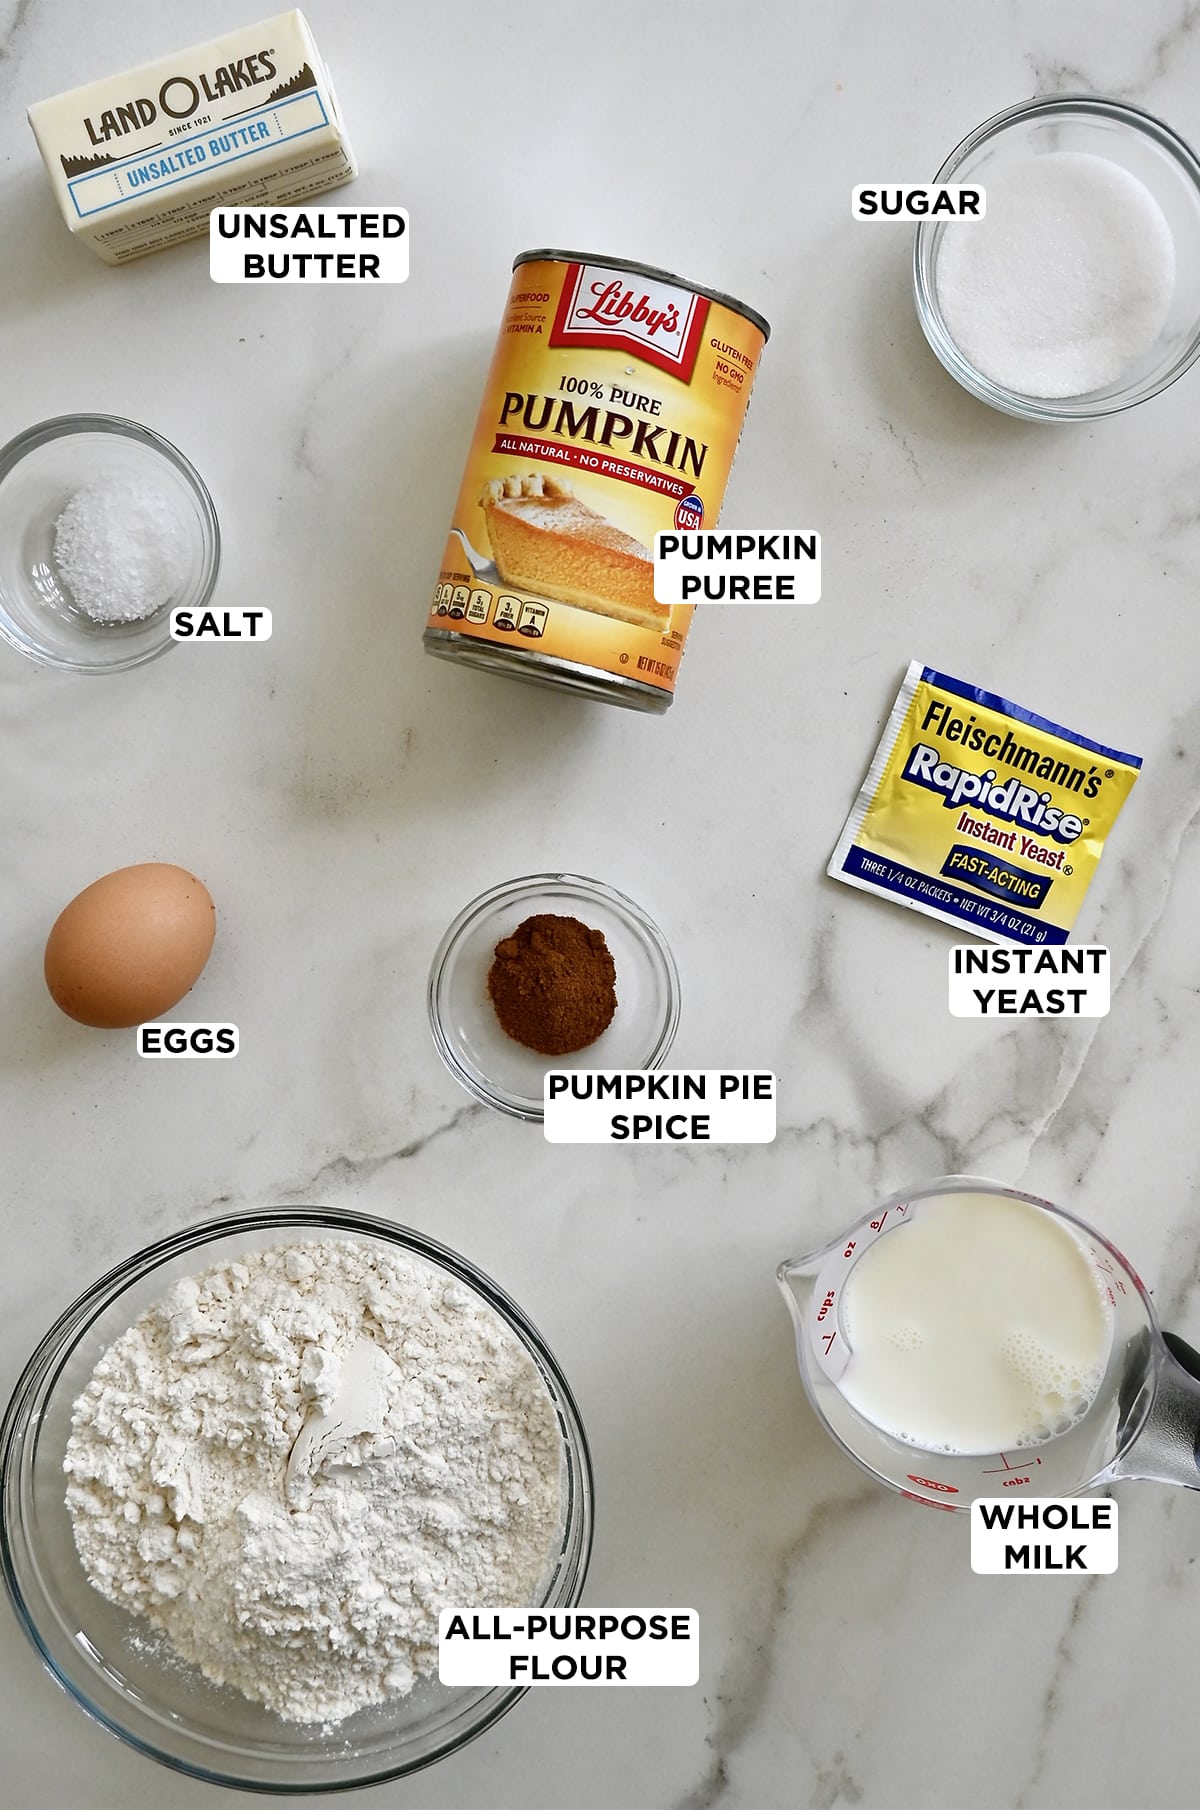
x=316 y=1590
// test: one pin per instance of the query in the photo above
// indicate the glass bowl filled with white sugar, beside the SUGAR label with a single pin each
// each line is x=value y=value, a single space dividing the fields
x=1078 y=292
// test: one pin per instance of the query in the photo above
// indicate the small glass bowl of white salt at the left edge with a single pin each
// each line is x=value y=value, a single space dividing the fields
x=104 y=531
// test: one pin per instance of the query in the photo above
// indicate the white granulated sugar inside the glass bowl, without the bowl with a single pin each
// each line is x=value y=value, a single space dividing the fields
x=1067 y=280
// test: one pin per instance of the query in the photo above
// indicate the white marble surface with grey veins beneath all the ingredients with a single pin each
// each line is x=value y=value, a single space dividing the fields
x=345 y=795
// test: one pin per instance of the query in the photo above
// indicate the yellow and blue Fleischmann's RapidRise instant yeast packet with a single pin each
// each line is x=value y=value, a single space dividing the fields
x=982 y=814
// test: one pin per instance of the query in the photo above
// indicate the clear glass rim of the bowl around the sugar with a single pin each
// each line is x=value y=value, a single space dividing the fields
x=929 y=314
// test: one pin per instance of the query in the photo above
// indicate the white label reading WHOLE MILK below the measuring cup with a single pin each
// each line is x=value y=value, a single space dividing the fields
x=1043 y=1536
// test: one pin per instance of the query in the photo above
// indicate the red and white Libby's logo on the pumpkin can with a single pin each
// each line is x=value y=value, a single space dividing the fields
x=658 y=321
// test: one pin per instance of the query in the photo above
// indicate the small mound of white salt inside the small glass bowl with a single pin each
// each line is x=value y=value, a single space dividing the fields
x=122 y=549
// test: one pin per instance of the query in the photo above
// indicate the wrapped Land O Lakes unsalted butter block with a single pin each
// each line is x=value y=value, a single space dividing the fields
x=140 y=160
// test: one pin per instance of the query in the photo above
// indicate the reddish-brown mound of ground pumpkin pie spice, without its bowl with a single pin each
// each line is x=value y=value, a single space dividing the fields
x=553 y=986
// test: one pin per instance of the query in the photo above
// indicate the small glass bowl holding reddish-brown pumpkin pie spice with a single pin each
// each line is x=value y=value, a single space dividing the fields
x=551 y=971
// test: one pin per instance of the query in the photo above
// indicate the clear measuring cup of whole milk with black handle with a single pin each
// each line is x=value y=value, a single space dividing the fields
x=967 y=1340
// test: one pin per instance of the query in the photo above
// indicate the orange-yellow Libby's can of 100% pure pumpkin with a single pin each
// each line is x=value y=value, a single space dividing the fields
x=613 y=410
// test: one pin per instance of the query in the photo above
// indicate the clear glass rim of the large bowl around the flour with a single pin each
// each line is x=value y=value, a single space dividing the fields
x=44 y=1367
